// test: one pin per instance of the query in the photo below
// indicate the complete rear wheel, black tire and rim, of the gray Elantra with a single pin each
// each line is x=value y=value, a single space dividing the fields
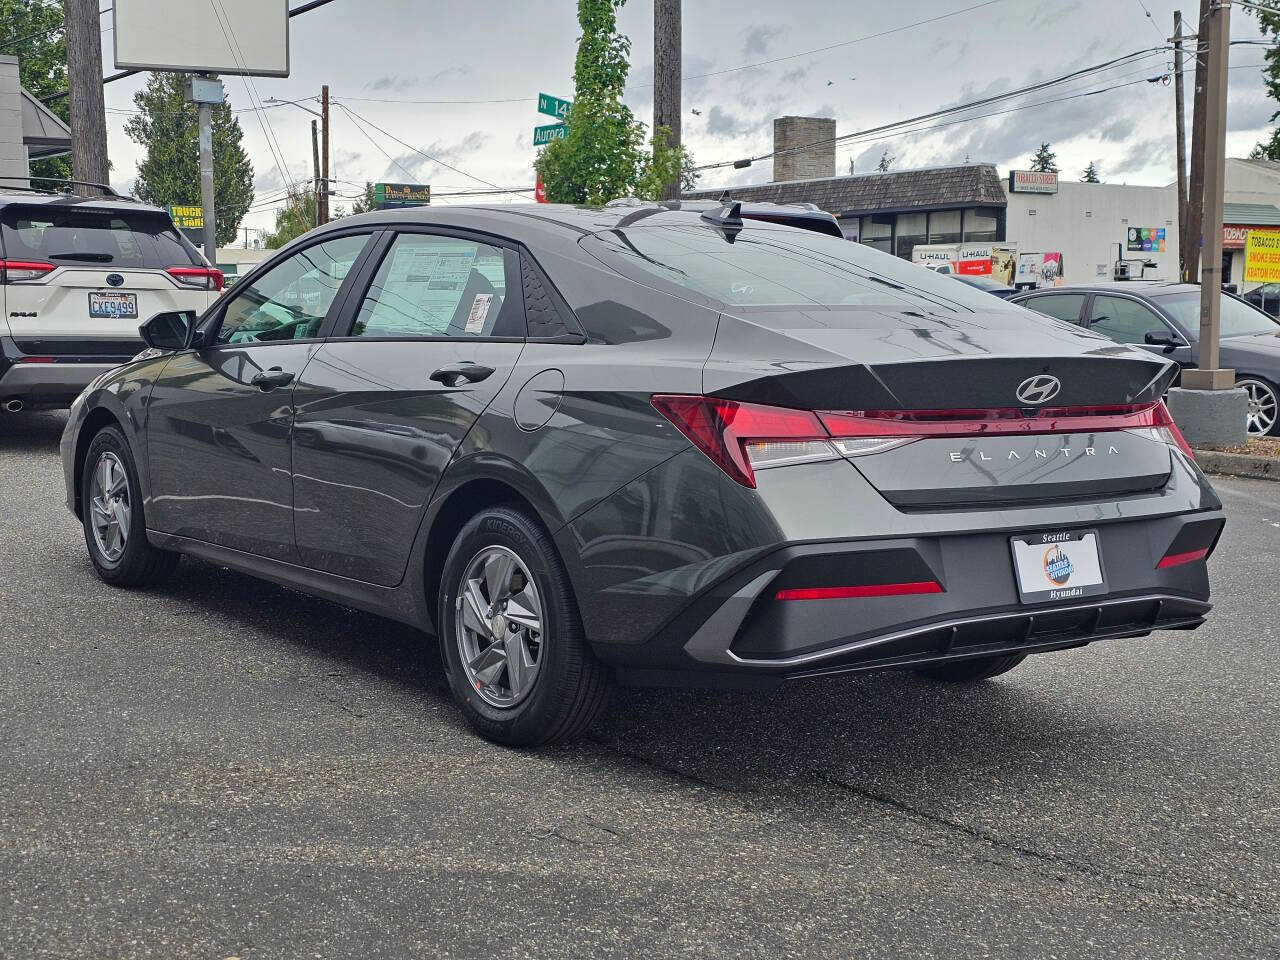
x=502 y=575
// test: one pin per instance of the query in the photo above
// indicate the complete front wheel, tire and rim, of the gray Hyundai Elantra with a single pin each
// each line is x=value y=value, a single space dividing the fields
x=130 y=561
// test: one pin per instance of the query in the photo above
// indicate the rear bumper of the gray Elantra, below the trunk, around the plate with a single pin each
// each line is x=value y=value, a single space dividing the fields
x=739 y=629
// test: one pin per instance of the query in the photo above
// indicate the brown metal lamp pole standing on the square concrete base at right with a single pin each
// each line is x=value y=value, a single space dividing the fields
x=1206 y=376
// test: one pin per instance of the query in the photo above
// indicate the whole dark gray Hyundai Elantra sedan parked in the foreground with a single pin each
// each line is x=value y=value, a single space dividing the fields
x=648 y=446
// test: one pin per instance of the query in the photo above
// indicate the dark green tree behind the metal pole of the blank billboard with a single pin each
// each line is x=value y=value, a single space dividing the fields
x=167 y=129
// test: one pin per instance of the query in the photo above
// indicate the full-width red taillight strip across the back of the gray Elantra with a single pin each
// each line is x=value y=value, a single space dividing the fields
x=744 y=437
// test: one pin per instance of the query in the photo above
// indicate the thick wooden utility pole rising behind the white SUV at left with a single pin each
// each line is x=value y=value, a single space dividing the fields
x=85 y=89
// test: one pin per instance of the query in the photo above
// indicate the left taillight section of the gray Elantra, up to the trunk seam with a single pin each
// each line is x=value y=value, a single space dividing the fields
x=738 y=437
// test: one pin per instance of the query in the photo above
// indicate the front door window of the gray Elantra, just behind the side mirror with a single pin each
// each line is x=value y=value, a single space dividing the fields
x=291 y=300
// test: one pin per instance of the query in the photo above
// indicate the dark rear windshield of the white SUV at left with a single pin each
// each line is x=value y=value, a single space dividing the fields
x=70 y=236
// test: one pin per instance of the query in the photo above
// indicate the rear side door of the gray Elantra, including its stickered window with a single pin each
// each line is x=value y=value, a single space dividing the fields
x=383 y=406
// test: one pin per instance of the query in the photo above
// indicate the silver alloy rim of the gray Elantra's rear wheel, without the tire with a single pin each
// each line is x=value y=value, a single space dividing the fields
x=500 y=628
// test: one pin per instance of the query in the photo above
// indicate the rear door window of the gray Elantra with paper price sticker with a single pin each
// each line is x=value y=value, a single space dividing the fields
x=438 y=287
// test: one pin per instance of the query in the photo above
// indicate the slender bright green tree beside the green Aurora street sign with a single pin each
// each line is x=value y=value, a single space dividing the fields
x=604 y=154
